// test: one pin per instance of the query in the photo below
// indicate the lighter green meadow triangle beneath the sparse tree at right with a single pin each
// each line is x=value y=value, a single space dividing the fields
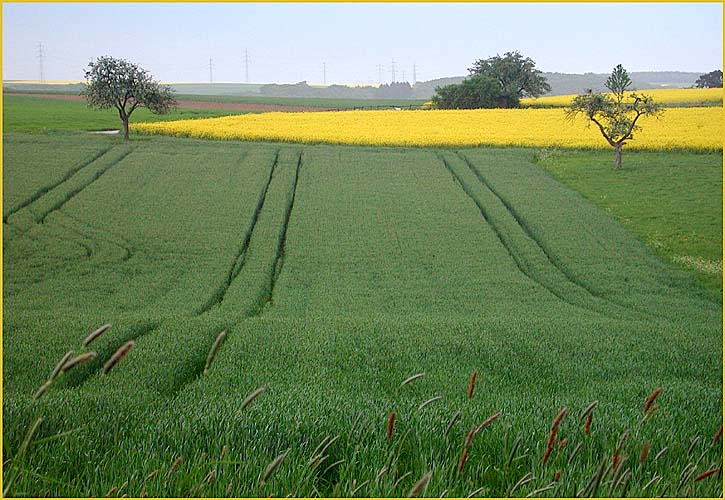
x=672 y=200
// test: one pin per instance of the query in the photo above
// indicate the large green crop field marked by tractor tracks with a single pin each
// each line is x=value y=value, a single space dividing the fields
x=338 y=272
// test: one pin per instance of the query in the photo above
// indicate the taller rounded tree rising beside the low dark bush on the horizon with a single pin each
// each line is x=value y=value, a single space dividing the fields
x=516 y=75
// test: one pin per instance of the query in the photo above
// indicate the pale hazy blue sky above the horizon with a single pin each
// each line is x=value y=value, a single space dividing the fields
x=290 y=42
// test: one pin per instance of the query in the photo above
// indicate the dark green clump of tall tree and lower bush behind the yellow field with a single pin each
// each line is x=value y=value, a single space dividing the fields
x=496 y=82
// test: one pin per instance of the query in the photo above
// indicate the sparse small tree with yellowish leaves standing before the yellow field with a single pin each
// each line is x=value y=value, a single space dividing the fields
x=615 y=114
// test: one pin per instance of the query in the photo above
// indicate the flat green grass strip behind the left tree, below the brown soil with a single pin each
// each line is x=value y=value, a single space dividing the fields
x=36 y=114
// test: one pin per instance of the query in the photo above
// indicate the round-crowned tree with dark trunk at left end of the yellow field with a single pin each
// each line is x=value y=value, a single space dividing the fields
x=117 y=83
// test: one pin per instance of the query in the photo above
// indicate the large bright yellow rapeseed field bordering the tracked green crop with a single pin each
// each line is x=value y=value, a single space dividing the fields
x=679 y=128
